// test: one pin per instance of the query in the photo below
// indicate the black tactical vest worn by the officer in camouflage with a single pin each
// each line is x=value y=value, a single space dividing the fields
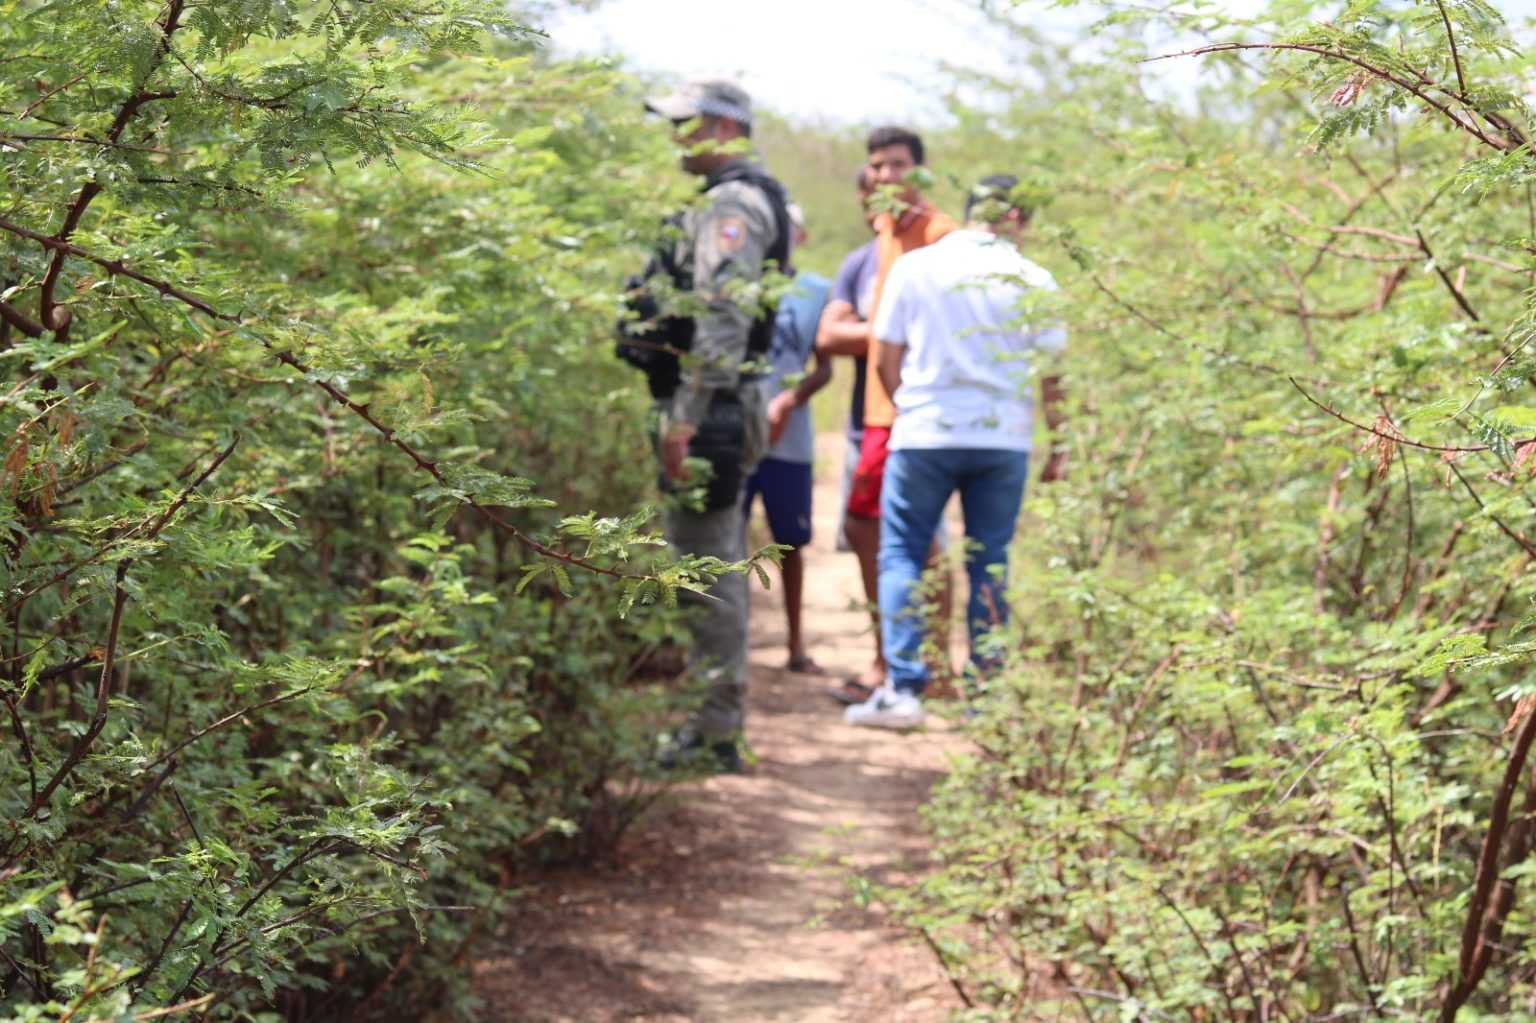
x=652 y=342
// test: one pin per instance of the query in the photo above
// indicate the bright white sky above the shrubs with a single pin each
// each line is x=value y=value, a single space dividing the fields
x=844 y=61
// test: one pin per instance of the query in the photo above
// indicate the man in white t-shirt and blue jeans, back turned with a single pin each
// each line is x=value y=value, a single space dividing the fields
x=956 y=326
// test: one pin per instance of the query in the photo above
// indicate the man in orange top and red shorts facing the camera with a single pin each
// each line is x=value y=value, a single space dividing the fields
x=895 y=153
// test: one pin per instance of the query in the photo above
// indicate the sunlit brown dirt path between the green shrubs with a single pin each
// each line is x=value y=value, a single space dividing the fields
x=730 y=904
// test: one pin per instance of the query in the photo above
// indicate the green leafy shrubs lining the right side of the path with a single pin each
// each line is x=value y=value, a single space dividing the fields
x=1268 y=707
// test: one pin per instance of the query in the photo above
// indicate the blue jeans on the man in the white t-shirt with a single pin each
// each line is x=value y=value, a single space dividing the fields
x=918 y=486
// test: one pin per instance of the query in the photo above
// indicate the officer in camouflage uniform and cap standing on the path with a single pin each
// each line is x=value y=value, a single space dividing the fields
x=709 y=405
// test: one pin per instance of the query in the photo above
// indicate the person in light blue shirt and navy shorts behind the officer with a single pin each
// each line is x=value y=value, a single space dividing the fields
x=784 y=477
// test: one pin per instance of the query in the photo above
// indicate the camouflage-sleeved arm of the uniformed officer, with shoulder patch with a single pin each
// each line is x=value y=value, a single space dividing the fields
x=730 y=243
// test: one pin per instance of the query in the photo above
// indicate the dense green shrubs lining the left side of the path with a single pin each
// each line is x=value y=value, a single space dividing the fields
x=306 y=354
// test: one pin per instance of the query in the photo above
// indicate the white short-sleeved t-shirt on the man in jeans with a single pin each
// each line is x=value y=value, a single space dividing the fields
x=965 y=379
